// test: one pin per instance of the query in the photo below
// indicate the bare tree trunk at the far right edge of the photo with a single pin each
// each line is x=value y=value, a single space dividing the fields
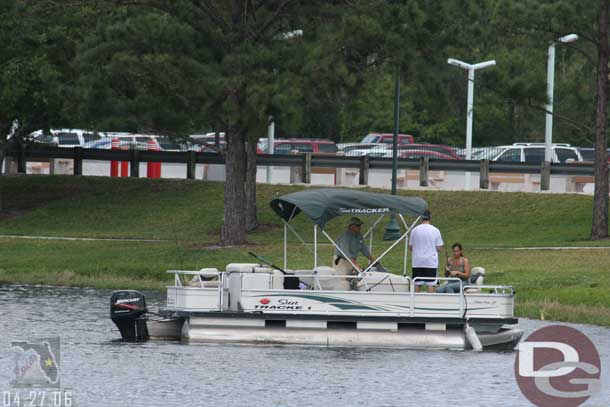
x=599 y=228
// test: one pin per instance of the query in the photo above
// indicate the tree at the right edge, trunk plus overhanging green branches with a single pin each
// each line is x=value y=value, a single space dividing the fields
x=549 y=20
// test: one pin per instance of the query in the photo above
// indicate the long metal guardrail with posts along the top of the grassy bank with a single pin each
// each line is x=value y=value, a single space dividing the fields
x=301 y=163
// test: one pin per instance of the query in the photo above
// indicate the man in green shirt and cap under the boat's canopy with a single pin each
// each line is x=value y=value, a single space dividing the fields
x=351 y=243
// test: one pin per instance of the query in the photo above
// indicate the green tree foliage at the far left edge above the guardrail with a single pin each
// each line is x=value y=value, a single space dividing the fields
x=35 y=60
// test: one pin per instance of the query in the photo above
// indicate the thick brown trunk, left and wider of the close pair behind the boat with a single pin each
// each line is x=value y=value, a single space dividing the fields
x=234 y=227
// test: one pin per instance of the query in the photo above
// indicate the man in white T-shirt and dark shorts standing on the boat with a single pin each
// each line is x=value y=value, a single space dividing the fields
x=425 y=244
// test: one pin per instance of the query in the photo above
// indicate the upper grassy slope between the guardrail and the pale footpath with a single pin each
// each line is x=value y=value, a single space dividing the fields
x=191 y=211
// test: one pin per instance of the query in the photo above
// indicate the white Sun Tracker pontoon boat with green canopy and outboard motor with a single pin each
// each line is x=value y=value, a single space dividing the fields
x=260 y=303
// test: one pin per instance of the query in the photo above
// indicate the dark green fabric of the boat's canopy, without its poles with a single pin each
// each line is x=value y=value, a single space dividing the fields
x=322 y=205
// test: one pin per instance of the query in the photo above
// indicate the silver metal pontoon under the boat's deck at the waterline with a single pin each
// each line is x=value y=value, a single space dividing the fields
x=319 y=332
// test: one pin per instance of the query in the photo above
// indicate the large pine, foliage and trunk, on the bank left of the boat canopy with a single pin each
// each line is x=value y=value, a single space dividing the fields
x=173 y=67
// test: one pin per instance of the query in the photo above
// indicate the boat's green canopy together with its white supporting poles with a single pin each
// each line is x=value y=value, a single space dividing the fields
x=322 y=205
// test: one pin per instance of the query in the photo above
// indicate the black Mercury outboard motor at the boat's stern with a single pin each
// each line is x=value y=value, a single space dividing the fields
x=127 y=309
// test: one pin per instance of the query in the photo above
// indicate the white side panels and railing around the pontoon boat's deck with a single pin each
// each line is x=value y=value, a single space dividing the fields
x=202 y=294
